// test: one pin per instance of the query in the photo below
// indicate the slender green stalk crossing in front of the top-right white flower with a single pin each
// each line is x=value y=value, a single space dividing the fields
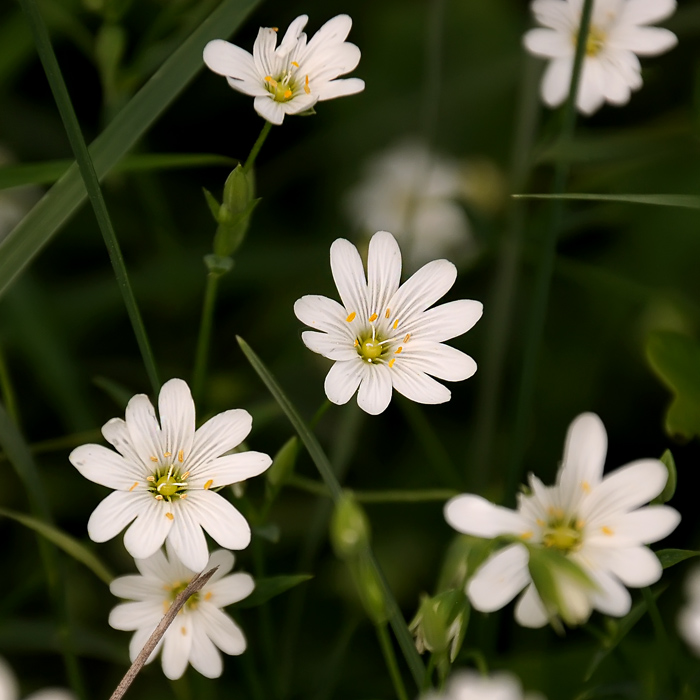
x=543 y=279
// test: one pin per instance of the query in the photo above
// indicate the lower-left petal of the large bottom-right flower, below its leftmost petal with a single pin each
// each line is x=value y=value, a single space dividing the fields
x=500 y=579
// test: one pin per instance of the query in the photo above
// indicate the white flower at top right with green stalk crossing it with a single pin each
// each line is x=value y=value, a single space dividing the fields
x=617 y=35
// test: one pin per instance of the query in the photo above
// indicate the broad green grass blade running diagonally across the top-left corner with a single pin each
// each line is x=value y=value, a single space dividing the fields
x=20 y=247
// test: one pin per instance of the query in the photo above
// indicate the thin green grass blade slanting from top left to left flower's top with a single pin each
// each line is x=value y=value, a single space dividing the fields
x=89 y=176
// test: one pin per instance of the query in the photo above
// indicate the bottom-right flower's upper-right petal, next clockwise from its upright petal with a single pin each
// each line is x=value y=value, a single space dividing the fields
x=625 y=489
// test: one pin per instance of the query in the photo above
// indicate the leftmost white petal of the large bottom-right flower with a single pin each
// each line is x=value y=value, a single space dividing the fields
x=474 y=515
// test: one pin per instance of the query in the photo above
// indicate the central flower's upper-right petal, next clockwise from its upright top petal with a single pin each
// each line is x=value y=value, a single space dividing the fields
x=422 y=290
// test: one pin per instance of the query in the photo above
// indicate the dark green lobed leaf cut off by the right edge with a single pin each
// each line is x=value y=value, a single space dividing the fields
x=675 y=358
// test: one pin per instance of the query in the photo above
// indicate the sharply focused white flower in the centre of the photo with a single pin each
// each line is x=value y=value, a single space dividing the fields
x=386 y=336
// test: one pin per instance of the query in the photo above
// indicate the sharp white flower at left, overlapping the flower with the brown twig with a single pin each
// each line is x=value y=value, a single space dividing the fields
x=163 y=477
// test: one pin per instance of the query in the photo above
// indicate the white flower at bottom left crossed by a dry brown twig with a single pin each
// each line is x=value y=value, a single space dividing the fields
x=199 y=628
